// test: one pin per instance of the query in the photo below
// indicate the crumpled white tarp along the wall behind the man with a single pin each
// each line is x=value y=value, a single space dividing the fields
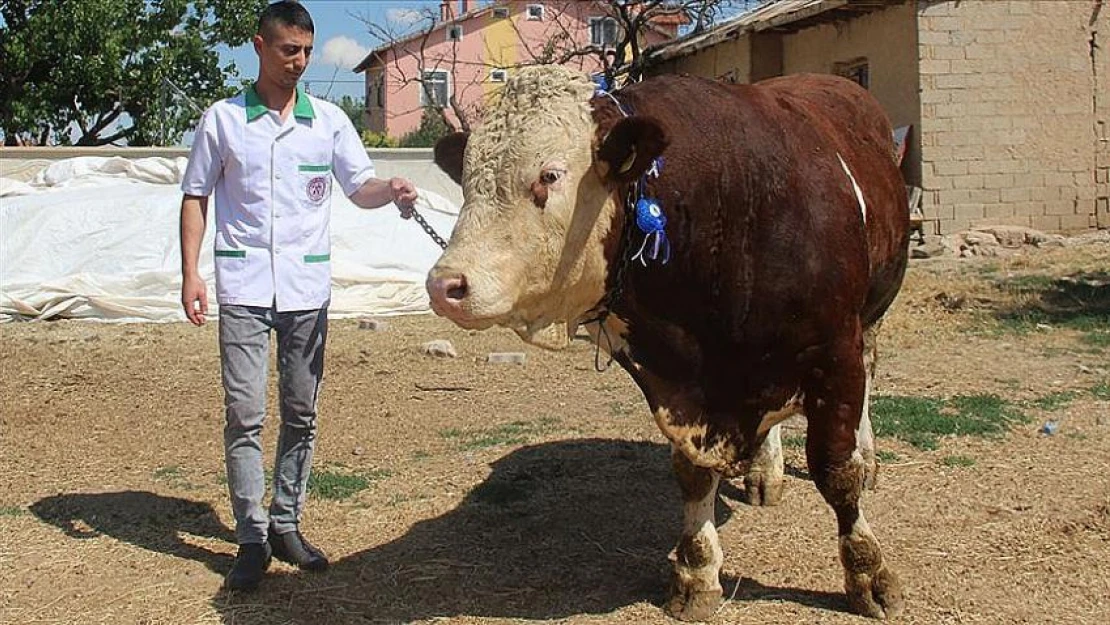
x=97 y=238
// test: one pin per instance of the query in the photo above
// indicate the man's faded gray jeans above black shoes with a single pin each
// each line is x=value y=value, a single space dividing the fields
x=245 y=354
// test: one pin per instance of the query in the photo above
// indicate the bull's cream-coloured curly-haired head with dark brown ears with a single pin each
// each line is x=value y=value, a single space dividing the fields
x=539 y=183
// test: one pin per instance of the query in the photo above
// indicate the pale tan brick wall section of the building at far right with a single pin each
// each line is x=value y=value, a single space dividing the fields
x=1011 y=114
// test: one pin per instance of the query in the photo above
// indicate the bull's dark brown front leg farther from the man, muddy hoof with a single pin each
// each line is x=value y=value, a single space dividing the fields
x=834 y=407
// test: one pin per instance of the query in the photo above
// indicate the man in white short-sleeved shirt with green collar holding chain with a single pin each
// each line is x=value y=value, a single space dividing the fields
x=270 y=155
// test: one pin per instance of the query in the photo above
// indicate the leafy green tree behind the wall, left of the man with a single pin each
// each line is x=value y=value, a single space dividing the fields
x=108 y=67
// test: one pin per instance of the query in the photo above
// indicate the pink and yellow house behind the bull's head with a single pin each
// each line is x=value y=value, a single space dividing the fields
x=465 y=57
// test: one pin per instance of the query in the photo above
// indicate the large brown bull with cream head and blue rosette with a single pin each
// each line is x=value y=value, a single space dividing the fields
x=789 y=226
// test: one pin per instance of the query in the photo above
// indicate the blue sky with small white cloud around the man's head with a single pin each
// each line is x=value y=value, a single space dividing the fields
x=341 y=42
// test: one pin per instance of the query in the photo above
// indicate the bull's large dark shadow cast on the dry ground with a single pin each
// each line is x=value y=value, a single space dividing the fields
x=558 y=530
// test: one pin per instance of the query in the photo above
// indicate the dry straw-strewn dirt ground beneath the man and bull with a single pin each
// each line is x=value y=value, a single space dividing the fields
x=504 y=493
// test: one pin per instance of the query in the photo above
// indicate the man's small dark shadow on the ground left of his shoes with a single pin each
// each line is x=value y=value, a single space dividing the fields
x=143 y=519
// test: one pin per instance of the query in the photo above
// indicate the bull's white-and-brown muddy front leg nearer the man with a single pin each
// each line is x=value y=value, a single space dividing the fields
x=697 y=592
